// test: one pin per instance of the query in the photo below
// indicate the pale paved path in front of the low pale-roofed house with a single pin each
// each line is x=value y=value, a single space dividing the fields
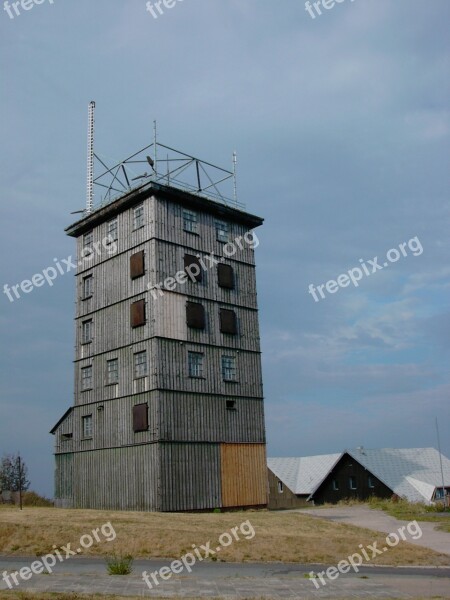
x=361 y=516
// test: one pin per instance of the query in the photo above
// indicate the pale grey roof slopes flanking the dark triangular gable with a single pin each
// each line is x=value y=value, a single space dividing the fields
x=411 y=473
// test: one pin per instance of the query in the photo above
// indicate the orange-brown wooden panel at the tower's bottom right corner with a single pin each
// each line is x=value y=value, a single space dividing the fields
x=244 y=475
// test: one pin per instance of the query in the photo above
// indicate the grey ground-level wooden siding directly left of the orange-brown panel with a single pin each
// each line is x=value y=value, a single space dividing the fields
x=190 y=476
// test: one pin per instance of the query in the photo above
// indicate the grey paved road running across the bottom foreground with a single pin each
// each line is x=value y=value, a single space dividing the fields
x=236 y=581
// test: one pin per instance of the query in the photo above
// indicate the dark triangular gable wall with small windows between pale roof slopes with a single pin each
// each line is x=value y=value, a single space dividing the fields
x=342 y=472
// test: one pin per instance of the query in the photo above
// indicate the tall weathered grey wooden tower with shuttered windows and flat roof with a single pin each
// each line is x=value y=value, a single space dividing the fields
x=168 y=411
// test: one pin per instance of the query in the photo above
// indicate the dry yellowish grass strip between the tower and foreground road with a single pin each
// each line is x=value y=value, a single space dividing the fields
x=286 y=537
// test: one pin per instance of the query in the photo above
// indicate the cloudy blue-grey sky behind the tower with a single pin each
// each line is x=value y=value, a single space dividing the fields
x=341 y=127
